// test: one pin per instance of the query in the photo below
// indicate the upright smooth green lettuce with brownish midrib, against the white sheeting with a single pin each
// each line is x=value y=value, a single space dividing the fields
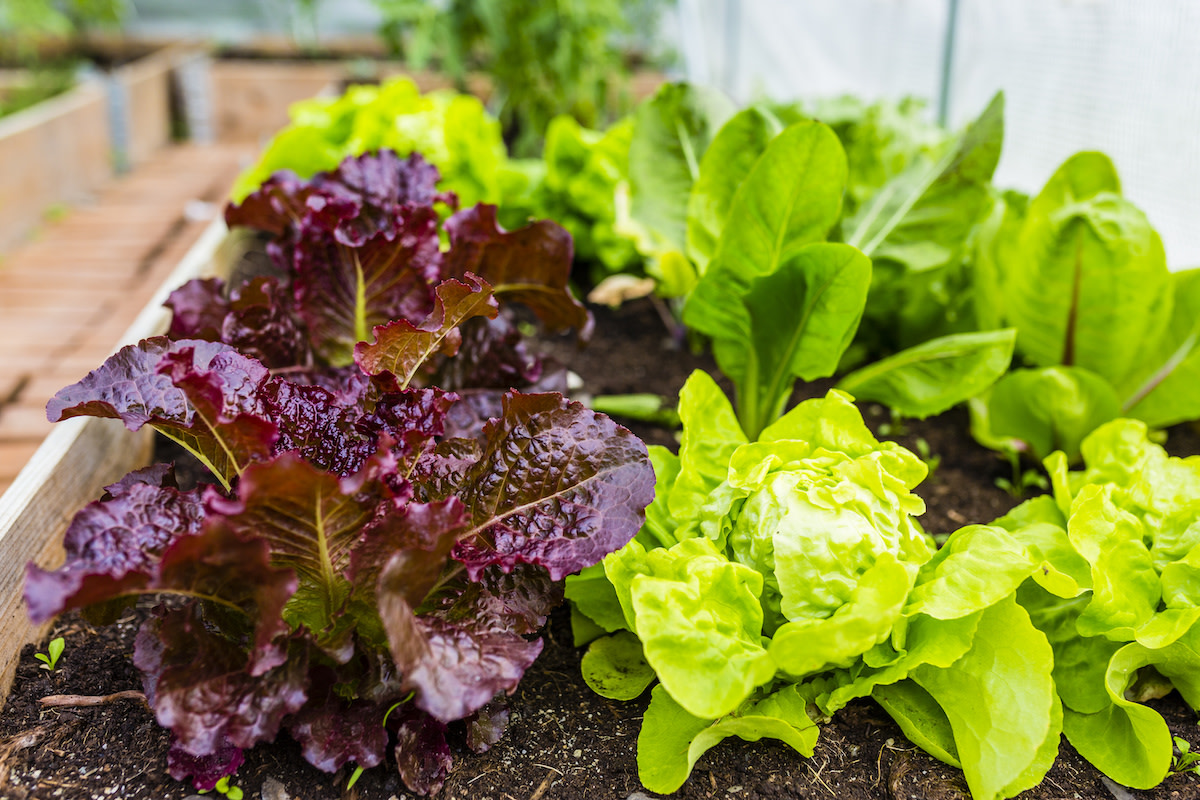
x=1108 y=330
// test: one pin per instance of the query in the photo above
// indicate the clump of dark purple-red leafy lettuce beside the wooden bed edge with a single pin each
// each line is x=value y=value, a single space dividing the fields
x=377 y=539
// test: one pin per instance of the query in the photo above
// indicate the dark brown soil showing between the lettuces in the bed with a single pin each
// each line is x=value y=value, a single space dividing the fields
x=563 y=741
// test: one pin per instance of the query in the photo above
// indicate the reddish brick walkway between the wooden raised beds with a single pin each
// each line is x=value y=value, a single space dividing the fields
x=69 y=294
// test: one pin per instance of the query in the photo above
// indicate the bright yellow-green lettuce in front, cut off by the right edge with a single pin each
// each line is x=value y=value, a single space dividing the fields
x=1127 y=625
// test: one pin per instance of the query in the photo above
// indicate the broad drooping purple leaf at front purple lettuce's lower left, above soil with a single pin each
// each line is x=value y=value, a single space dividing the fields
x=199 y=684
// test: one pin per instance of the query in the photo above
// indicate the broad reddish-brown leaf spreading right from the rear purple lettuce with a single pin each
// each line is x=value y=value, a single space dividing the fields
x=530 y=266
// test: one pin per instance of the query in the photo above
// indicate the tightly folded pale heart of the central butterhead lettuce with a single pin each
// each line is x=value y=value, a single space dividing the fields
x=825 y=502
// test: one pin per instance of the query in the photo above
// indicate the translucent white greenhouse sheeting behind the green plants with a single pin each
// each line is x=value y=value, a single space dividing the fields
x=1118 y=76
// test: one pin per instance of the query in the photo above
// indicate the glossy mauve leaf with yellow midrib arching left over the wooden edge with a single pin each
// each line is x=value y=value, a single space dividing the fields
x=205 y=395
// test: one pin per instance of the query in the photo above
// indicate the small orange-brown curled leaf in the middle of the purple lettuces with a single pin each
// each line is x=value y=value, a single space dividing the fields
x=403 y=348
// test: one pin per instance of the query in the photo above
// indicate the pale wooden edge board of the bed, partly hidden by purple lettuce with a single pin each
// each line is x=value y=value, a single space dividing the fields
x=68 y=472
